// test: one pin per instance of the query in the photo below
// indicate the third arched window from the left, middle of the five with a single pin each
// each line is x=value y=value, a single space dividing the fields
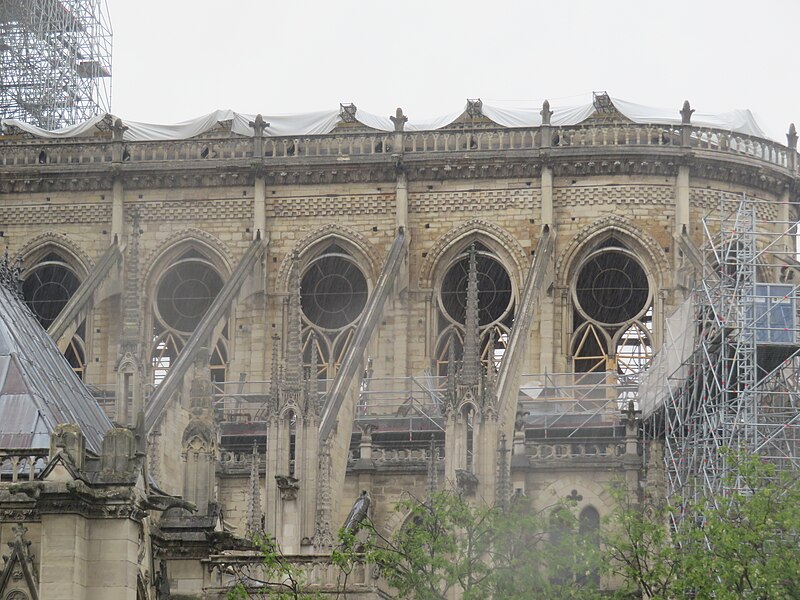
x=333 y=295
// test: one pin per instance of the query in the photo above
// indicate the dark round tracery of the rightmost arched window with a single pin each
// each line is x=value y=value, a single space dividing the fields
x=612 y=287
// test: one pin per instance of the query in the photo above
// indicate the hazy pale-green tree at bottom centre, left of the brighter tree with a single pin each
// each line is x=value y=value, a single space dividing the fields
x=451 y=544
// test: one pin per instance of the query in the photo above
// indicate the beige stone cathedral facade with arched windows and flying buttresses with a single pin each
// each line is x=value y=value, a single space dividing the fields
x=216 y=233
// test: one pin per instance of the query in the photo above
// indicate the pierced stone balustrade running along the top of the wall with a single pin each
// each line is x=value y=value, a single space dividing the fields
x=86 y=151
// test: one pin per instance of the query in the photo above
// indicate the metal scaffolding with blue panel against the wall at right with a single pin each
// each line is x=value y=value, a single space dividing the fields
x=738 y=386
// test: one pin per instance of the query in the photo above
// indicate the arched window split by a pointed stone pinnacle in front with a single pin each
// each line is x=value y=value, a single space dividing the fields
x=496 y=305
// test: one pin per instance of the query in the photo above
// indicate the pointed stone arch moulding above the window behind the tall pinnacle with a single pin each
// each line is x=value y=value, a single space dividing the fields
x=501 y=242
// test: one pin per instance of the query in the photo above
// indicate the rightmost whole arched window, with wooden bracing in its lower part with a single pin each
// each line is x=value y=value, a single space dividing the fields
x=613 y=313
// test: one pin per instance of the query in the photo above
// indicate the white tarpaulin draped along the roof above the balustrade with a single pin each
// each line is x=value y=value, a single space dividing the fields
x=317 y=123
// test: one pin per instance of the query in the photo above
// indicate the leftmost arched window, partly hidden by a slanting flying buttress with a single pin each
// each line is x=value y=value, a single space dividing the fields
x=47 y=288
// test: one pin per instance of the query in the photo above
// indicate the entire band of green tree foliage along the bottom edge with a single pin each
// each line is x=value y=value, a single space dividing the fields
x=741 y=543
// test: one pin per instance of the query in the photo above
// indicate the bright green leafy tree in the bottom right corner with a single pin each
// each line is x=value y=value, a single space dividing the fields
x=739 y=543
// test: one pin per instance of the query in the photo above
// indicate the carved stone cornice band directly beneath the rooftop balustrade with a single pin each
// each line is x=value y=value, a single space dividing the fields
x=422 y=166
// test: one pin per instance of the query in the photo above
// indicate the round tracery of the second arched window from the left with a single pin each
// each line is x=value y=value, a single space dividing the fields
x=186 y=292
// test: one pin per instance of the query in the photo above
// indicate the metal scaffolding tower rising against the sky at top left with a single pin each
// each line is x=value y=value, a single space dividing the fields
x=55 y=61
